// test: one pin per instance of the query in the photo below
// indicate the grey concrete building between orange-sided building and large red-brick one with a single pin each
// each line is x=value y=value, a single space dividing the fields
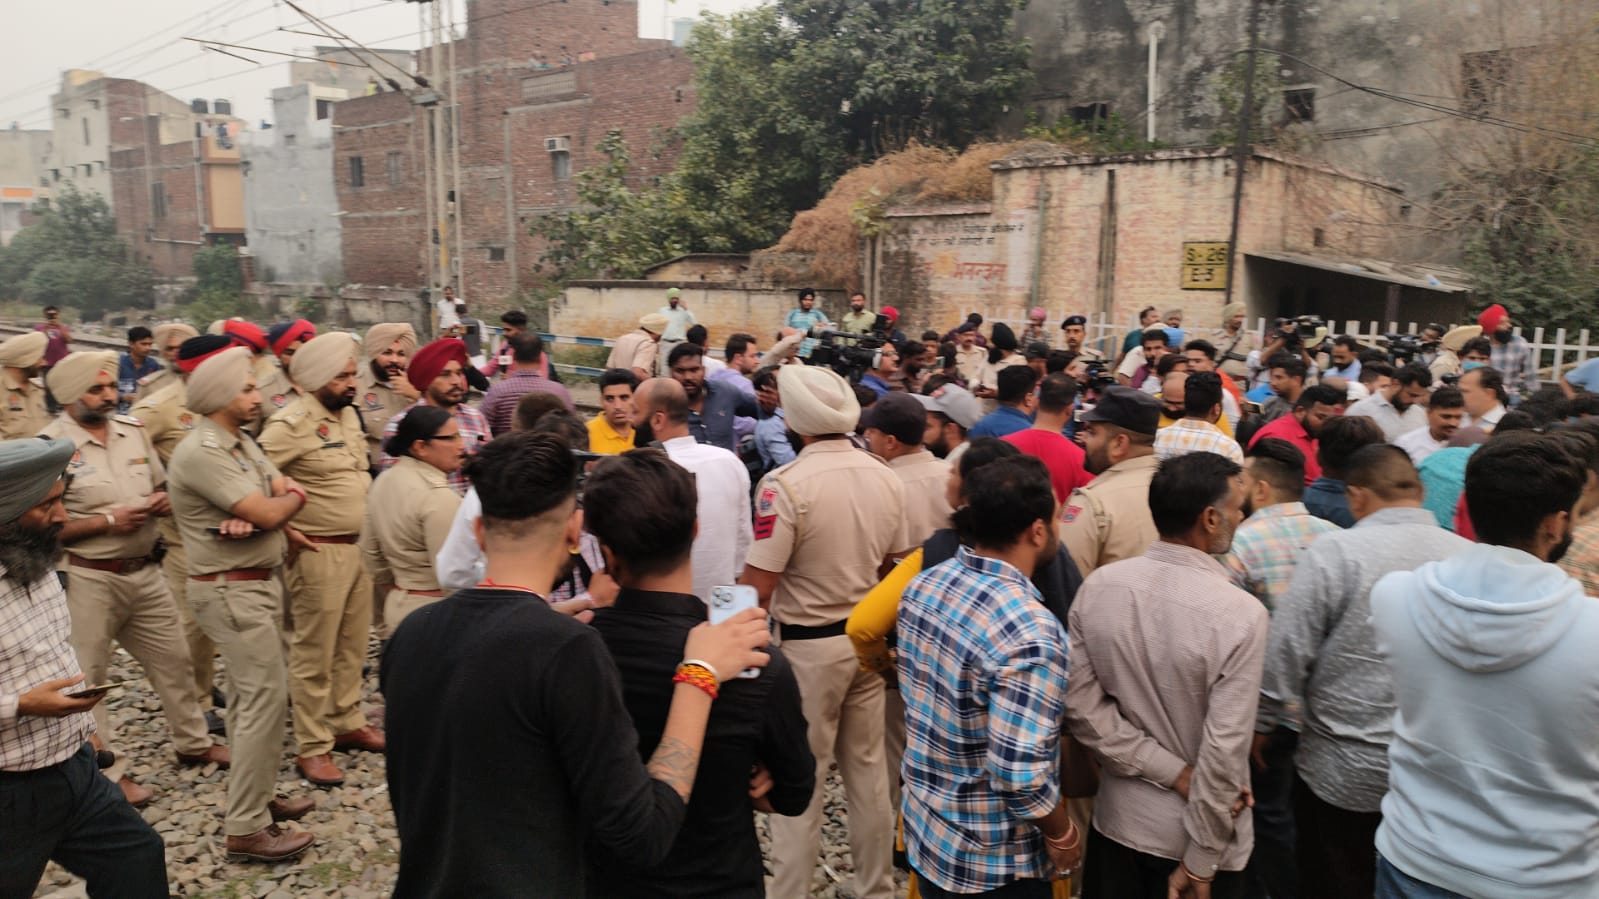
x=290 y=202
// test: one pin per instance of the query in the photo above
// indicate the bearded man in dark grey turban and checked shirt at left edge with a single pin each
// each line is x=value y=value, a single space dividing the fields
x=82 y=821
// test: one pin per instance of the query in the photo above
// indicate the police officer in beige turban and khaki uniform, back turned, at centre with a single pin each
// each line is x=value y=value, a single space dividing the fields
x=826 y=527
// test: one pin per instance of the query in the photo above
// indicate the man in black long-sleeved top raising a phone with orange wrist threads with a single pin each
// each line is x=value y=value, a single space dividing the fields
x=509 y=743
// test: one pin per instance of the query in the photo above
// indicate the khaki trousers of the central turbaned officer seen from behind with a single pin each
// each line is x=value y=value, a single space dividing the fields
x=843 y=708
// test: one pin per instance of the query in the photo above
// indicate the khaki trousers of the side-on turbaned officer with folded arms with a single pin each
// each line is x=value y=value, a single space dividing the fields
x=242 y=618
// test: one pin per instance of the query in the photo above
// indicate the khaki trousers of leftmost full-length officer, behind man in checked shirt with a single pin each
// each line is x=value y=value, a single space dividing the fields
x=135 y=610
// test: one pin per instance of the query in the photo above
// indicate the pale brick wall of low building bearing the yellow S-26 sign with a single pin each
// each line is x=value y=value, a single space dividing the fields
x=1114 y=233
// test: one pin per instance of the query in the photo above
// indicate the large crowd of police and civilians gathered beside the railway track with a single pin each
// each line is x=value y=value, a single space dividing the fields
x=1229 y=615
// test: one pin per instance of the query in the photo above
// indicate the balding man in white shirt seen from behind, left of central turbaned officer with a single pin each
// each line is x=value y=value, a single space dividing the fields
x=661 y=415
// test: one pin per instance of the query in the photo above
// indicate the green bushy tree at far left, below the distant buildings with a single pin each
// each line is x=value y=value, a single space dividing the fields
x=73 y=257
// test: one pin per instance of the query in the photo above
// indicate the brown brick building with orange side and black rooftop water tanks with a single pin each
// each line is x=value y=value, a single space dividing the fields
x=177 y=198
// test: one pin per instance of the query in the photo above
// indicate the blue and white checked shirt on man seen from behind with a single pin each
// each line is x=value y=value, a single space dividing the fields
x=983 y=669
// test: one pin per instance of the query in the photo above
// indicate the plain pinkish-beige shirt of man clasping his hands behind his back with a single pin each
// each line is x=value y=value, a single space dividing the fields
x=1166 y=661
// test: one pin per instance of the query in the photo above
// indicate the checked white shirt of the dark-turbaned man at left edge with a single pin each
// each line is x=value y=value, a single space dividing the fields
x=34 y=649
